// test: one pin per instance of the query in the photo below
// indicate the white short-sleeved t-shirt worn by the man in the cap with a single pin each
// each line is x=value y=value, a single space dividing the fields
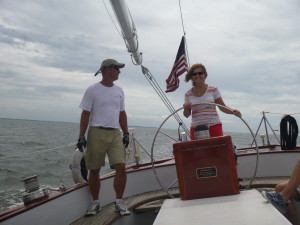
x=104 y=104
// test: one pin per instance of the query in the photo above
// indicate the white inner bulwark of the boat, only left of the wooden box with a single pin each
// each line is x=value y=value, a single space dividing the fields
x=71 y=205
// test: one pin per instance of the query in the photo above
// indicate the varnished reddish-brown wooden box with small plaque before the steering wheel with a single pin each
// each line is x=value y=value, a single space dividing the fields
x=206 y=168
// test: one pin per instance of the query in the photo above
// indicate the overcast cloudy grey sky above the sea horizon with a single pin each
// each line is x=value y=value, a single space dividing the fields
x=50 y=51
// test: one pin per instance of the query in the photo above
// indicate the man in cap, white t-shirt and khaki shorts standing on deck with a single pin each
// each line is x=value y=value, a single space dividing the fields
x=103 y=110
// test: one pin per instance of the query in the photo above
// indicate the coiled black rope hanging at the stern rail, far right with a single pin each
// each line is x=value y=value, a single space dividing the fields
x=288 y=133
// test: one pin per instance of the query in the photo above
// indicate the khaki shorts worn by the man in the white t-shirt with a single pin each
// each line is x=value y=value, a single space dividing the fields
x=101 y=142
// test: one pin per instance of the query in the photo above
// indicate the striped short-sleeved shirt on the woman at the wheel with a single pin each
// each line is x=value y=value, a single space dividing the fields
x=204 y=114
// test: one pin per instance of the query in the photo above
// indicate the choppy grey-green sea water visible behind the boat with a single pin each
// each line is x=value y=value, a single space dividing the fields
x=45 y=149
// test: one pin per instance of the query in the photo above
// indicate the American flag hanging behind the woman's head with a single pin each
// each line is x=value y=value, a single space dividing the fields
x=180 y=66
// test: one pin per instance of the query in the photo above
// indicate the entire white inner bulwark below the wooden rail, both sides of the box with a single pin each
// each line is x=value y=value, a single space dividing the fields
x=71 y=205
